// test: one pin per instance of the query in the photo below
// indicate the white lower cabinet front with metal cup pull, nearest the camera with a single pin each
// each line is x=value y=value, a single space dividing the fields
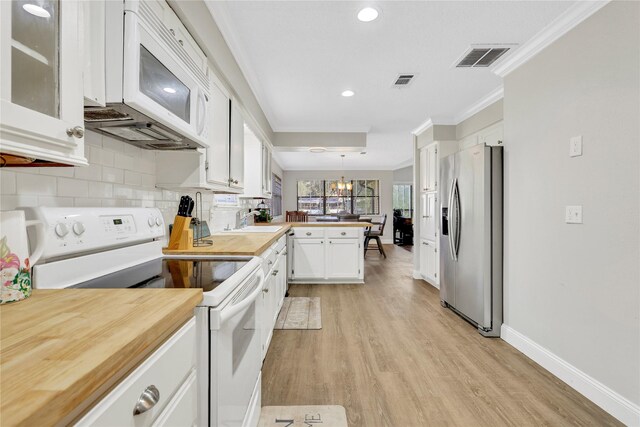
x=162 y=389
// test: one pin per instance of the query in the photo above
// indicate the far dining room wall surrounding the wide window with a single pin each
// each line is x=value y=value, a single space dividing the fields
x=290 y=191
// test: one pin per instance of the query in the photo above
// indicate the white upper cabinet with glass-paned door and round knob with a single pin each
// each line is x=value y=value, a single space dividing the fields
x=41 y=81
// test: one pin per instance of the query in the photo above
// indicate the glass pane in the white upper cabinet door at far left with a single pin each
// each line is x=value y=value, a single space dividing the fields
x=34 y=55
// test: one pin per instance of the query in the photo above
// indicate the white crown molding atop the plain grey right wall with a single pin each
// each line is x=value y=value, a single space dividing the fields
x=570 y=18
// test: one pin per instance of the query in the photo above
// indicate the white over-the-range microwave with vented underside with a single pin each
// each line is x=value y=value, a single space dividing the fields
x=157 y=94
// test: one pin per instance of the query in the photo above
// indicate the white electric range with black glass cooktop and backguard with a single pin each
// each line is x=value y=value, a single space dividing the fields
x=122 y=248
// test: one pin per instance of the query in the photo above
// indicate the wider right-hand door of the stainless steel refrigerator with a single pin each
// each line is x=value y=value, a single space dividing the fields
x=472 y=181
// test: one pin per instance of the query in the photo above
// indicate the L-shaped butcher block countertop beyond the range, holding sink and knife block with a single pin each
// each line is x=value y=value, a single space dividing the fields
x=240 y=243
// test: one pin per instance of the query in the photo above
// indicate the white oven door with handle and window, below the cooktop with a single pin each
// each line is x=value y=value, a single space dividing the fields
x=235 y=354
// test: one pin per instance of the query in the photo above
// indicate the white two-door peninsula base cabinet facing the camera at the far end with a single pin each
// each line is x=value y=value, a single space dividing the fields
x=327 y=255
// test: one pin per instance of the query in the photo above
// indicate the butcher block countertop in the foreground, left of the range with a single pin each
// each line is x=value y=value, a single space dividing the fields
x=62 y=350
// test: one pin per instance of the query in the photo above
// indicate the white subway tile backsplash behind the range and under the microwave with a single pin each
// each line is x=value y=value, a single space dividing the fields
x=119 y=175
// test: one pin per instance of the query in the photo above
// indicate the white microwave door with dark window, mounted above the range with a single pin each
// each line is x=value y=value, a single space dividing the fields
x=158 y=84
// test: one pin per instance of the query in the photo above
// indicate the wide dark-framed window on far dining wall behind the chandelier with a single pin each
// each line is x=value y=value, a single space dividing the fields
x=323 y=197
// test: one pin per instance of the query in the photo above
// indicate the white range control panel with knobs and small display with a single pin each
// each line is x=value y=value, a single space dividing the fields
x=69 y=231
